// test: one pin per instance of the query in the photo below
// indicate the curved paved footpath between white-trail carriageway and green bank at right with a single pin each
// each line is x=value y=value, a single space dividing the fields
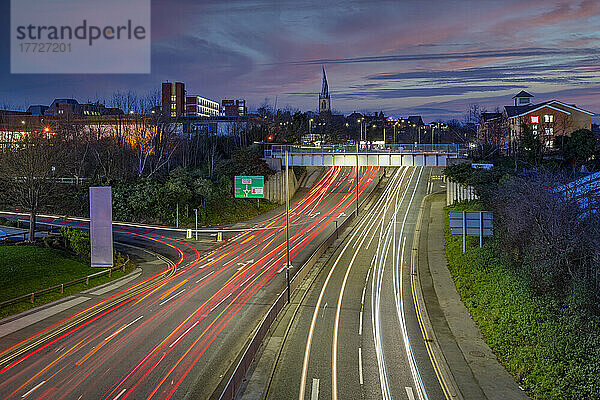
x=474 y=366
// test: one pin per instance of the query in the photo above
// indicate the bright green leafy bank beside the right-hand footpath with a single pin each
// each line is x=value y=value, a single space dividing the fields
x=551 y=347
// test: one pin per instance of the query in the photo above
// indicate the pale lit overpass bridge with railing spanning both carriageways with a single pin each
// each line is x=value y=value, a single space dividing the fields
x=388 y=155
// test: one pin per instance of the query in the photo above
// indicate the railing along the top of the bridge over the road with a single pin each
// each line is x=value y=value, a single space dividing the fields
x=278 y=150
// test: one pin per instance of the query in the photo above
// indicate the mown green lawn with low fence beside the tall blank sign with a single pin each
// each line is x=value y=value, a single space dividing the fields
x=26 y=269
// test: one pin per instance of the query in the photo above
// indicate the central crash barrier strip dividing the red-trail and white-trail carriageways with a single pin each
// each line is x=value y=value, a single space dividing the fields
x=239 y=373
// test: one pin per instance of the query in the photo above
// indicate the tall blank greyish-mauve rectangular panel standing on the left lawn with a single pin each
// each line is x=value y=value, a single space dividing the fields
x=101 y=239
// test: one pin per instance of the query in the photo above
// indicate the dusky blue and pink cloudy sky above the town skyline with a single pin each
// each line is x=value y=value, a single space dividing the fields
x=430 y=58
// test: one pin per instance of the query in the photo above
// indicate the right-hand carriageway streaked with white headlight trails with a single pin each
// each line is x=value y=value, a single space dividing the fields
x=357 y=331
